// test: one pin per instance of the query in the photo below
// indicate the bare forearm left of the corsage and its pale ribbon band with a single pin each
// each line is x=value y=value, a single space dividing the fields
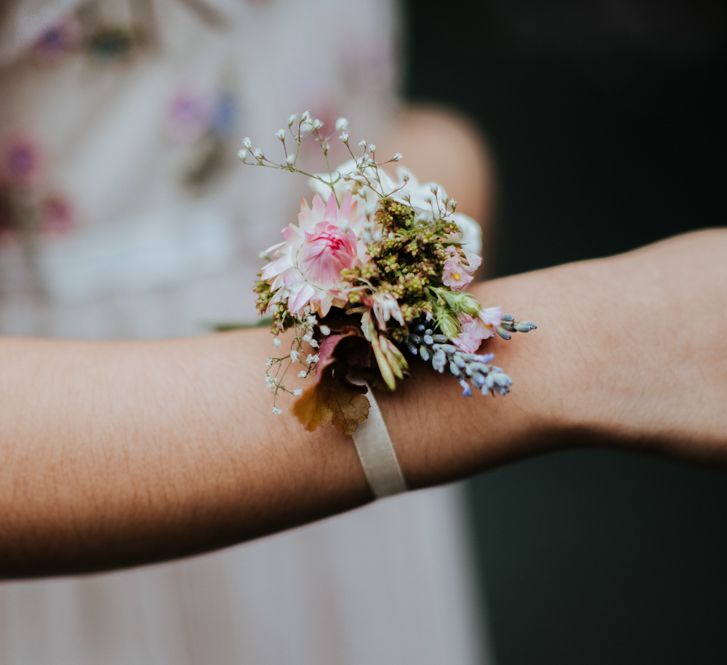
x=116 y=454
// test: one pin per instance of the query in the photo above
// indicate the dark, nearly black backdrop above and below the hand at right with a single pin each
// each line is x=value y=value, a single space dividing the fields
x=606 y=120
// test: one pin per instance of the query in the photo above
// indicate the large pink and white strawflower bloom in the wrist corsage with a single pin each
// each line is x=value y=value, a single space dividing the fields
x=306 y=267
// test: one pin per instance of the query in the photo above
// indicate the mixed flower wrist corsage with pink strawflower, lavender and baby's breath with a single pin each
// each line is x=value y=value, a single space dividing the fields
x=375 y=270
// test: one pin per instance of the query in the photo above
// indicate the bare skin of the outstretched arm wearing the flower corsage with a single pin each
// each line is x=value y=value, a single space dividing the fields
x=116 y=454
